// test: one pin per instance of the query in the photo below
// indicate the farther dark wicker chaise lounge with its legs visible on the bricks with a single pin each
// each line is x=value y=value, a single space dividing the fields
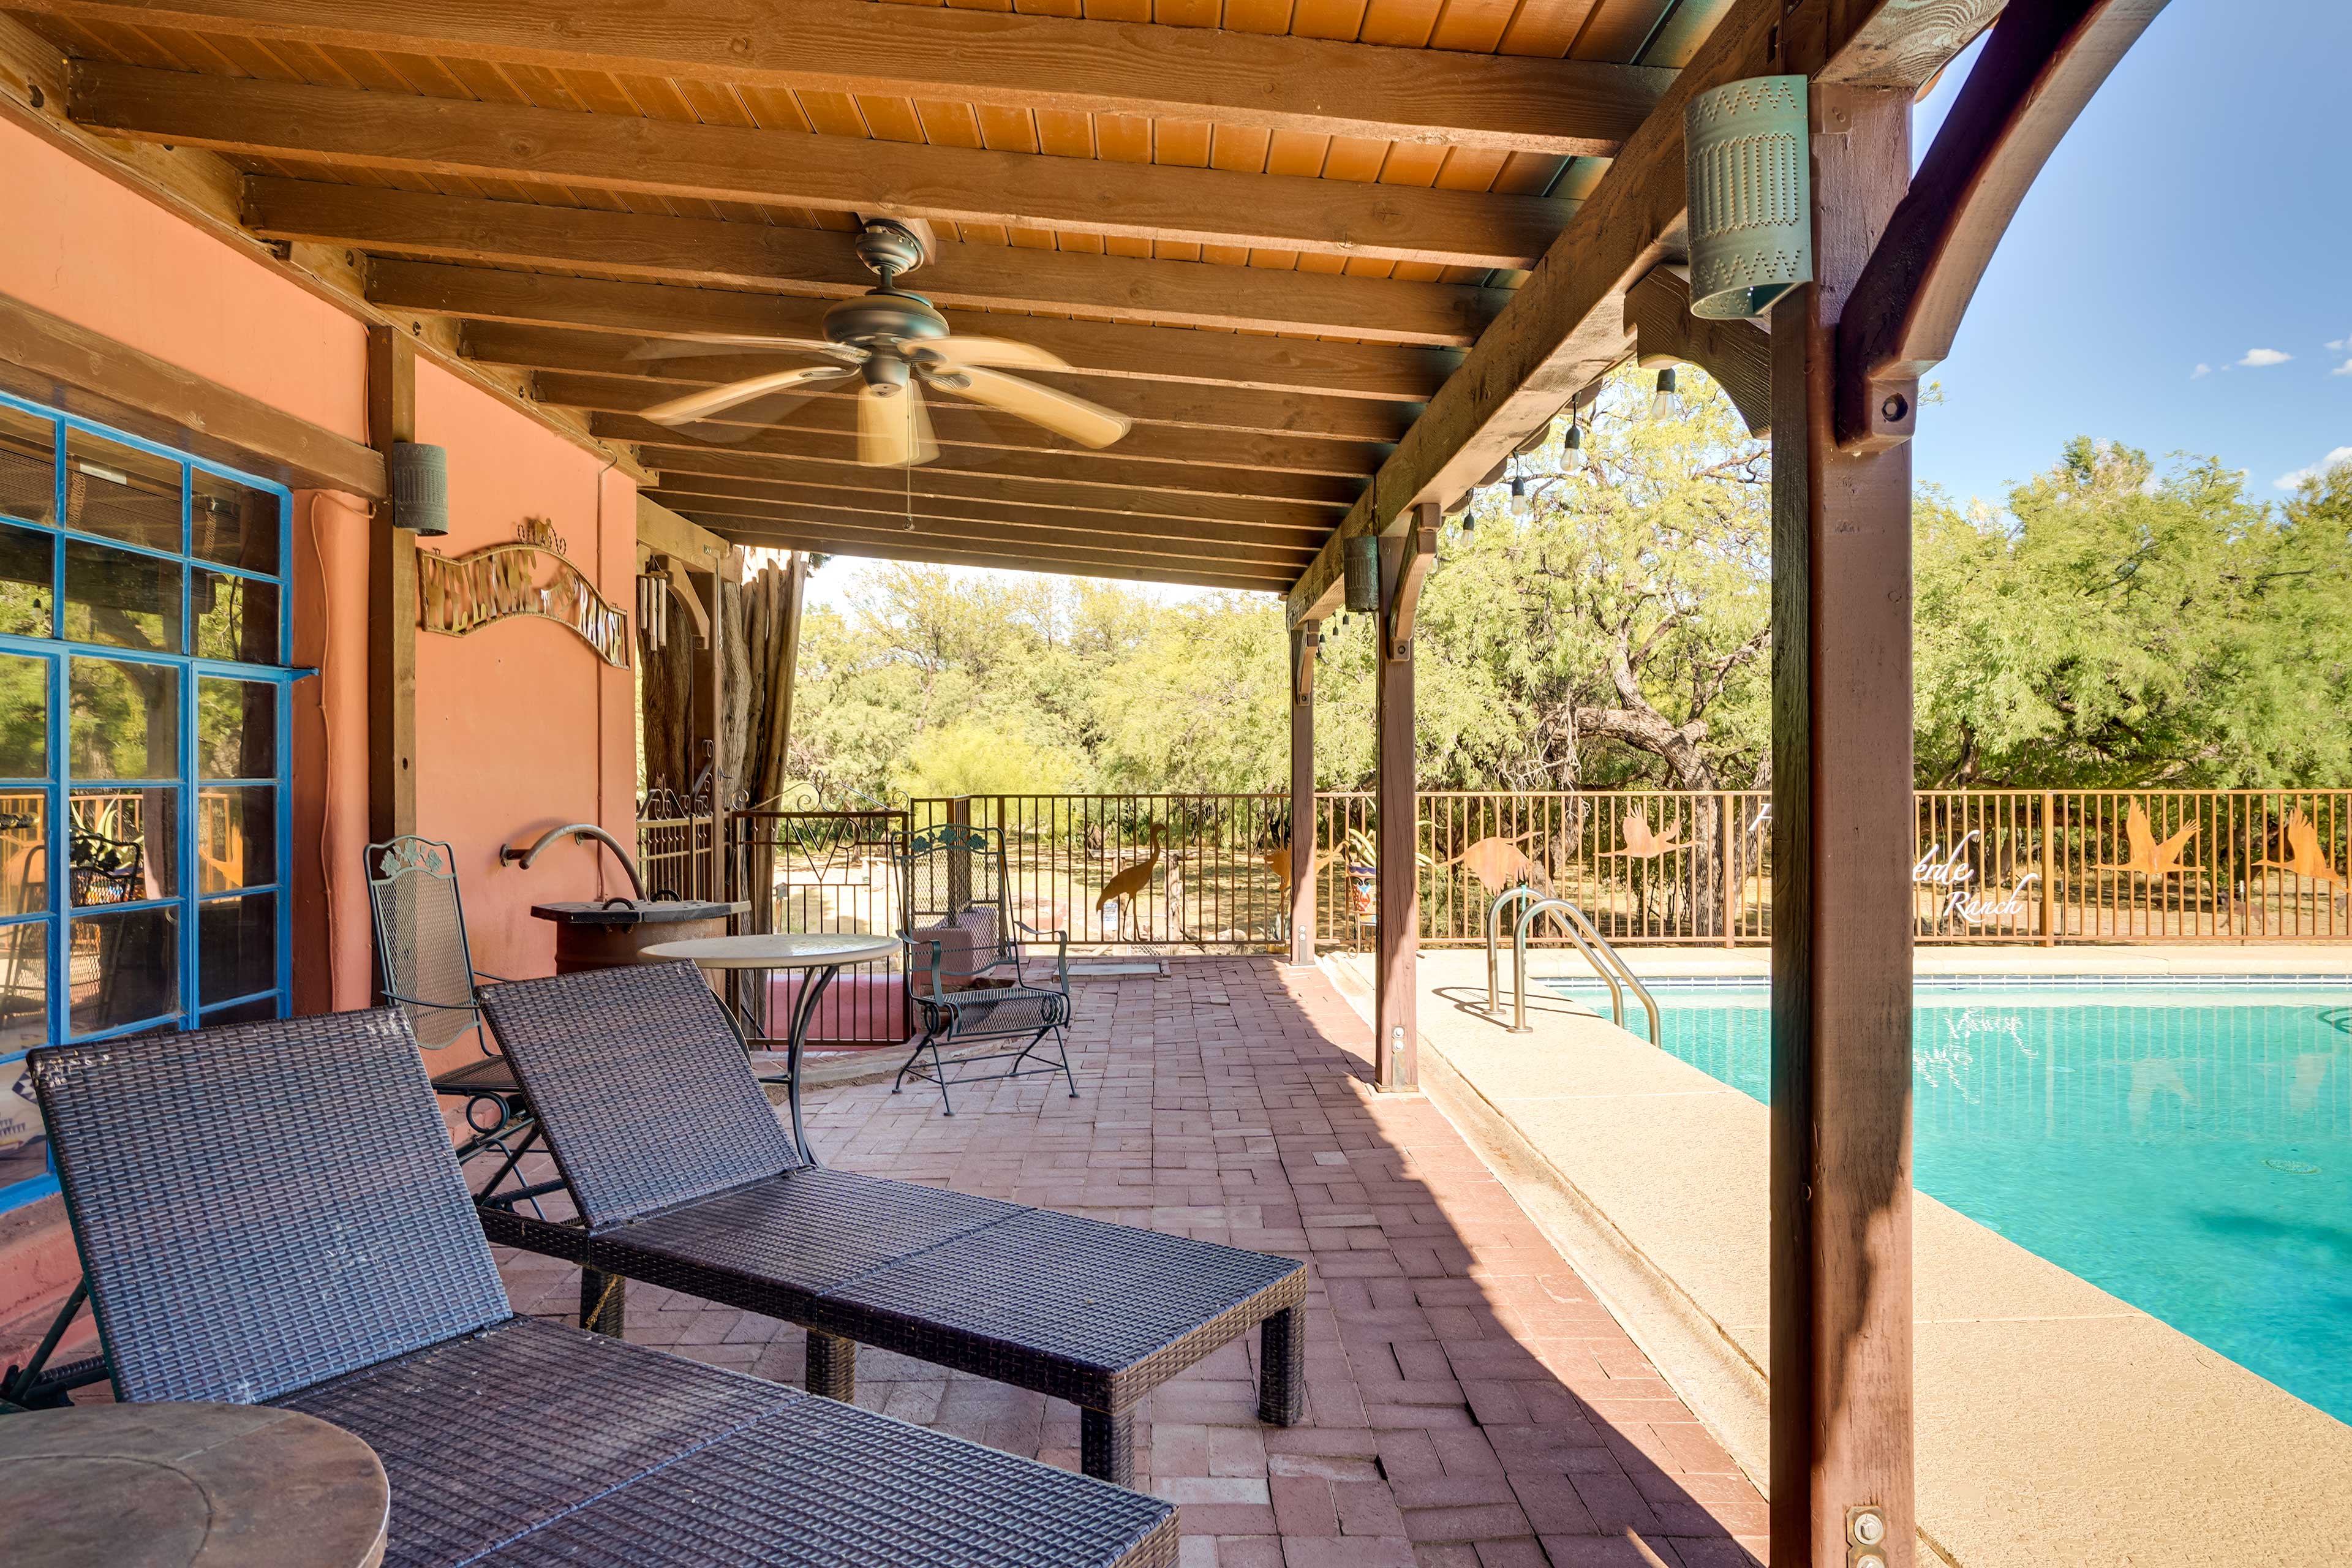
x=688 y=1181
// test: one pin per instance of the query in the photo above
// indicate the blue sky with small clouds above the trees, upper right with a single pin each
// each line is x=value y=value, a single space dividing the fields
x=2198 y=215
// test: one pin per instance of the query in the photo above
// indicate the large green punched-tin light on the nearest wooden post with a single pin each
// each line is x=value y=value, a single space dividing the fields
x=1751 y=185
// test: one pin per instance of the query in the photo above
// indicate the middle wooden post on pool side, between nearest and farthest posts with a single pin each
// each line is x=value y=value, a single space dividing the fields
x=1398 y=949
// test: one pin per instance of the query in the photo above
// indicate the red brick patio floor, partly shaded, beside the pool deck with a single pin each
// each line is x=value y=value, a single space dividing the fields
x=1469 y=1402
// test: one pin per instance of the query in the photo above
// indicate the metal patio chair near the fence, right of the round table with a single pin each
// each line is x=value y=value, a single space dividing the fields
x=968 y=967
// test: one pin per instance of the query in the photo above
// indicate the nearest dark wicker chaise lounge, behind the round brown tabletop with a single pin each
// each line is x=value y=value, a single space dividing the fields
x=272 y=1214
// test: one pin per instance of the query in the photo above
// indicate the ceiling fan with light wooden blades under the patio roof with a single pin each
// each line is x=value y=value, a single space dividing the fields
x=897 y=344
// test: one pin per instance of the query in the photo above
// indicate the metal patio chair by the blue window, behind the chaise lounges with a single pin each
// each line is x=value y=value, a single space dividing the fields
x=429 y=974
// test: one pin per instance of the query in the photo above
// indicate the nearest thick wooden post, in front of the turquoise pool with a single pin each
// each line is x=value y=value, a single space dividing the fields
x=1843 y=902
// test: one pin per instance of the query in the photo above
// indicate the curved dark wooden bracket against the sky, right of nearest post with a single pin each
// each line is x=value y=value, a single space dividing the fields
x=2040 y=67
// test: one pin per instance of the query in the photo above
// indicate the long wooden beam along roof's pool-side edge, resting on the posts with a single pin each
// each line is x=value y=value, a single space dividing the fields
x=1568 y=326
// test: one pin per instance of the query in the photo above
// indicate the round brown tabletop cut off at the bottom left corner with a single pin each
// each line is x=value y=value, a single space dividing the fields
x=187 y=1487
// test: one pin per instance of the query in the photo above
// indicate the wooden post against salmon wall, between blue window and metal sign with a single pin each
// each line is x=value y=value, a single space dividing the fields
x=392 y=601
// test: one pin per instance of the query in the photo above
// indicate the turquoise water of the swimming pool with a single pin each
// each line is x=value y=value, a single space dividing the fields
x=2184 y=1146
